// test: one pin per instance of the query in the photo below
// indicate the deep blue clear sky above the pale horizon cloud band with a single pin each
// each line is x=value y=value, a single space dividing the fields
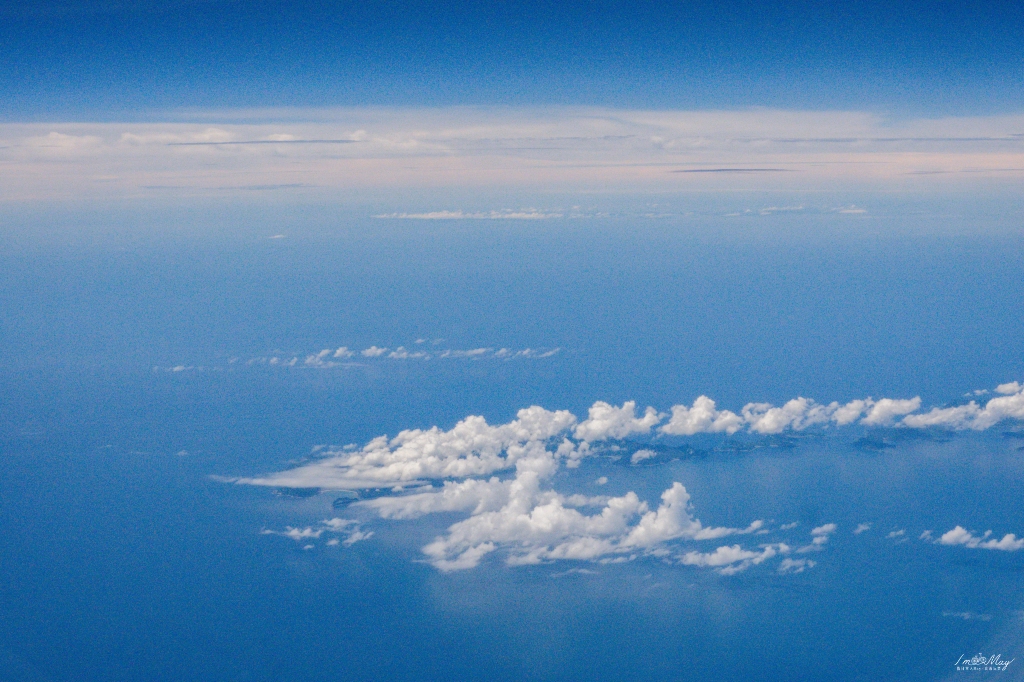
x=105 y=59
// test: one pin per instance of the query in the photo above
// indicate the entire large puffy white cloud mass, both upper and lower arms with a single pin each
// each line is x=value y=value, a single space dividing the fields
x=520 y=515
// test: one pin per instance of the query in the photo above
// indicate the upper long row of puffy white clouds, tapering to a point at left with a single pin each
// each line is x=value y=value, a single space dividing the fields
x=475 y=448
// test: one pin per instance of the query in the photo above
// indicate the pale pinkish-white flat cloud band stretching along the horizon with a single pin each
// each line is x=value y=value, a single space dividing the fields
x=567 y=149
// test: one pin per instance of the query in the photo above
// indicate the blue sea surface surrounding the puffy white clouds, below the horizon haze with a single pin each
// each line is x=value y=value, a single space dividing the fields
x=147 y=363
